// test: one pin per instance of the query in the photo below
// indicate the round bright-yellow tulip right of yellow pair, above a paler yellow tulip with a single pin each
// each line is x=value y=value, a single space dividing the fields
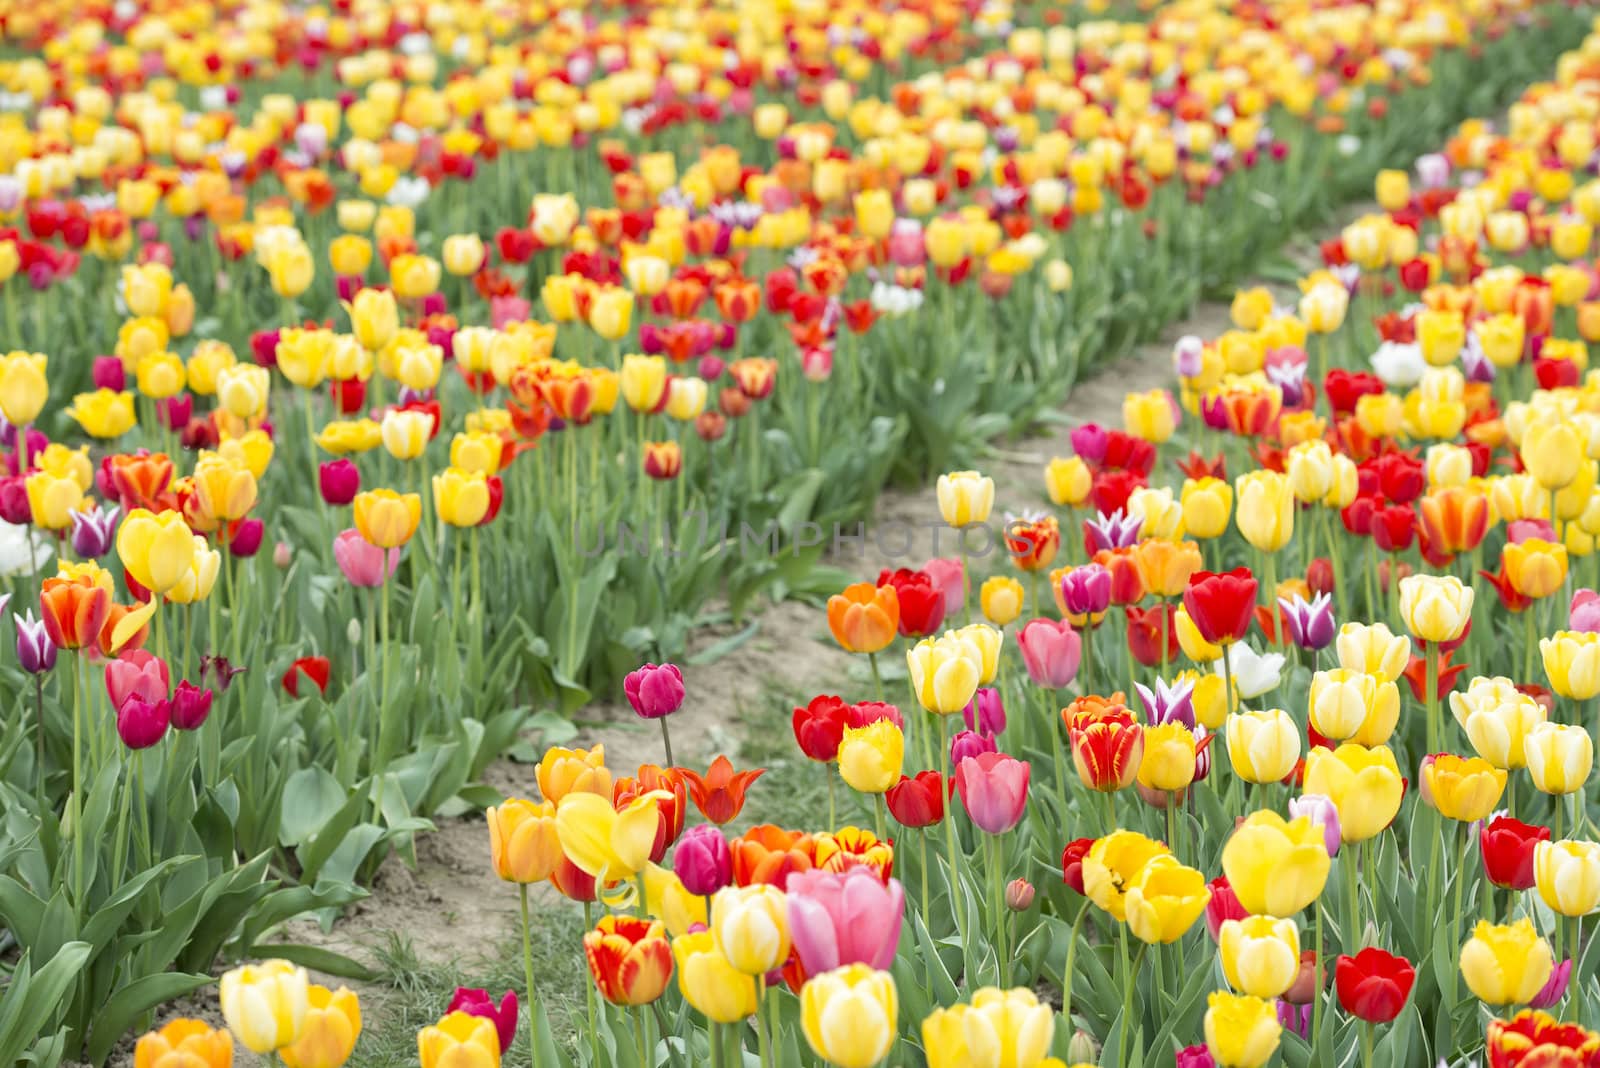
x=1276 y=867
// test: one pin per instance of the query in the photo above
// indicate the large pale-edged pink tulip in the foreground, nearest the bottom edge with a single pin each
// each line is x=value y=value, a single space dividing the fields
x=841 y=919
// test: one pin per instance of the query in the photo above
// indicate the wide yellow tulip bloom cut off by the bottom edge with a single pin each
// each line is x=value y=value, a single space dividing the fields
x=1001 y=1029
